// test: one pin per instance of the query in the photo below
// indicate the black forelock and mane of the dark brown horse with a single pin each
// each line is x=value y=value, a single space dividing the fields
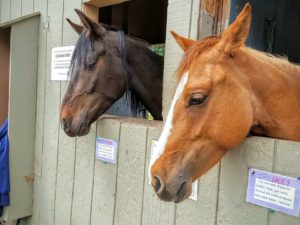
x=82 y=55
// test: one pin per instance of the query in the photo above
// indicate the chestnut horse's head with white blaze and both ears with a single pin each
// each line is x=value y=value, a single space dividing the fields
x=210 y=112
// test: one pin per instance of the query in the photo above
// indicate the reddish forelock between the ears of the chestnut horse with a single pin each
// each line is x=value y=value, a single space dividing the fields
x=193 y=53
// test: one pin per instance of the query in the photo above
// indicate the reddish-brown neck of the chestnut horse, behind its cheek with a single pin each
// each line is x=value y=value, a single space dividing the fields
x=275 y=90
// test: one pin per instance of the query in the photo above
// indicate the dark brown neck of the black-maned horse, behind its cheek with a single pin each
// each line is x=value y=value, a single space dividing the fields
x=145 y=71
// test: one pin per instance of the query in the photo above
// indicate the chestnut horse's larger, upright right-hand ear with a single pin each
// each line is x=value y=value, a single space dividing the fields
x=235 y=36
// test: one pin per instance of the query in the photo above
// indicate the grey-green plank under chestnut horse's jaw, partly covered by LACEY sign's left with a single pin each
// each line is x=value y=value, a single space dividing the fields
x=255 y=152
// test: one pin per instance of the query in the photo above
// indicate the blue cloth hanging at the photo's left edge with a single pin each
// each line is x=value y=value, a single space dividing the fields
x=4 y=165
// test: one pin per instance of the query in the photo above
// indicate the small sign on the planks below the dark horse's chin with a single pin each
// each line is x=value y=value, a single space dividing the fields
x=106 y=150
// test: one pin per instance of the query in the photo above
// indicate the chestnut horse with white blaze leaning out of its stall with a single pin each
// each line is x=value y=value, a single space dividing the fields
x=225 y=91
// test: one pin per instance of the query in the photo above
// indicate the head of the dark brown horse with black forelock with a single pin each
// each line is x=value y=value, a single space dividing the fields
x=97 y=75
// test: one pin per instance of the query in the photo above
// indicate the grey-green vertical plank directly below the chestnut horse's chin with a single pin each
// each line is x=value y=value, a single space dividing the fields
x=202 y=211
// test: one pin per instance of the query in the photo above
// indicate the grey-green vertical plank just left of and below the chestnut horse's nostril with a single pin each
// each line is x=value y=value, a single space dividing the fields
x=155 y=211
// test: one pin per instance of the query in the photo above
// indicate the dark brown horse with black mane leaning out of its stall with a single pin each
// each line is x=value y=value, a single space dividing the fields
x=105 y=65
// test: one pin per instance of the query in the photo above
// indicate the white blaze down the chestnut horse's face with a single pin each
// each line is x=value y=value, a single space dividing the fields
x=163 y=139
